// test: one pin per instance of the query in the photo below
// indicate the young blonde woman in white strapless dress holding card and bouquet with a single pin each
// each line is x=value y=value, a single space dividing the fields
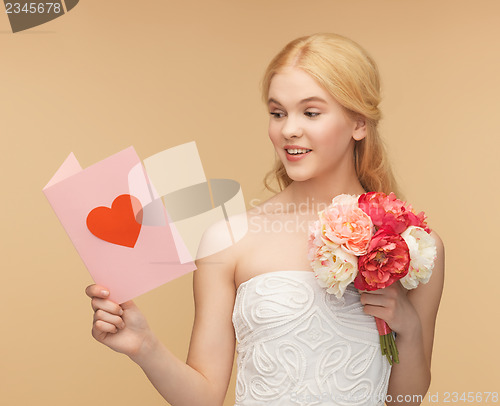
x=297 y=344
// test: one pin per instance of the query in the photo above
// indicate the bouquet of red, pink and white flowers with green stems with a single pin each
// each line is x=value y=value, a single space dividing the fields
x=372 y=240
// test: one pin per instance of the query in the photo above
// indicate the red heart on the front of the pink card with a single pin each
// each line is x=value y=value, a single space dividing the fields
x=117 y=224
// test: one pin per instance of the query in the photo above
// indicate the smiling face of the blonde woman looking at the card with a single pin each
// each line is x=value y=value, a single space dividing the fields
x=309 y=129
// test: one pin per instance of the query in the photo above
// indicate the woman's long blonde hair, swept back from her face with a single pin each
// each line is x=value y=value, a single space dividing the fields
x=351 y=76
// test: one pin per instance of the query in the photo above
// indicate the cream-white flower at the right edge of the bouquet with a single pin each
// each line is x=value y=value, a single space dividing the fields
x=423 y=253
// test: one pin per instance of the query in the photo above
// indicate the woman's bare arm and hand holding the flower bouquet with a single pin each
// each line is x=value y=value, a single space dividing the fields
x=412 y=315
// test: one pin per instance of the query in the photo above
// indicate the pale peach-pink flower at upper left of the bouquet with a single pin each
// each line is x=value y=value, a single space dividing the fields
x=345 y=224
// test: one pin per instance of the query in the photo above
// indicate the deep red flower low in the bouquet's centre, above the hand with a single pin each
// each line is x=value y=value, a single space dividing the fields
x=387 y=260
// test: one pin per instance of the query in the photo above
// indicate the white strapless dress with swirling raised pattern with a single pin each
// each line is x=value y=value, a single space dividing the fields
x=299 y=345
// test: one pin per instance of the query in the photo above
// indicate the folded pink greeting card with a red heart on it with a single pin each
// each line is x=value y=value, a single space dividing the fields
x=118 y=224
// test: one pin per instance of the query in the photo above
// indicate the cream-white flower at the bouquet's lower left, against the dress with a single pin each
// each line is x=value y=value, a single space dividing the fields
x=335 y=269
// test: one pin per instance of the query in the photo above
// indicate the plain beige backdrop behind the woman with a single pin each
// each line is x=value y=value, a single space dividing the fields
x=155 y=74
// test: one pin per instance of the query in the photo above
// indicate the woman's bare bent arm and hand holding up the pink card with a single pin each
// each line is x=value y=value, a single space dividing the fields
x=201 y=380
